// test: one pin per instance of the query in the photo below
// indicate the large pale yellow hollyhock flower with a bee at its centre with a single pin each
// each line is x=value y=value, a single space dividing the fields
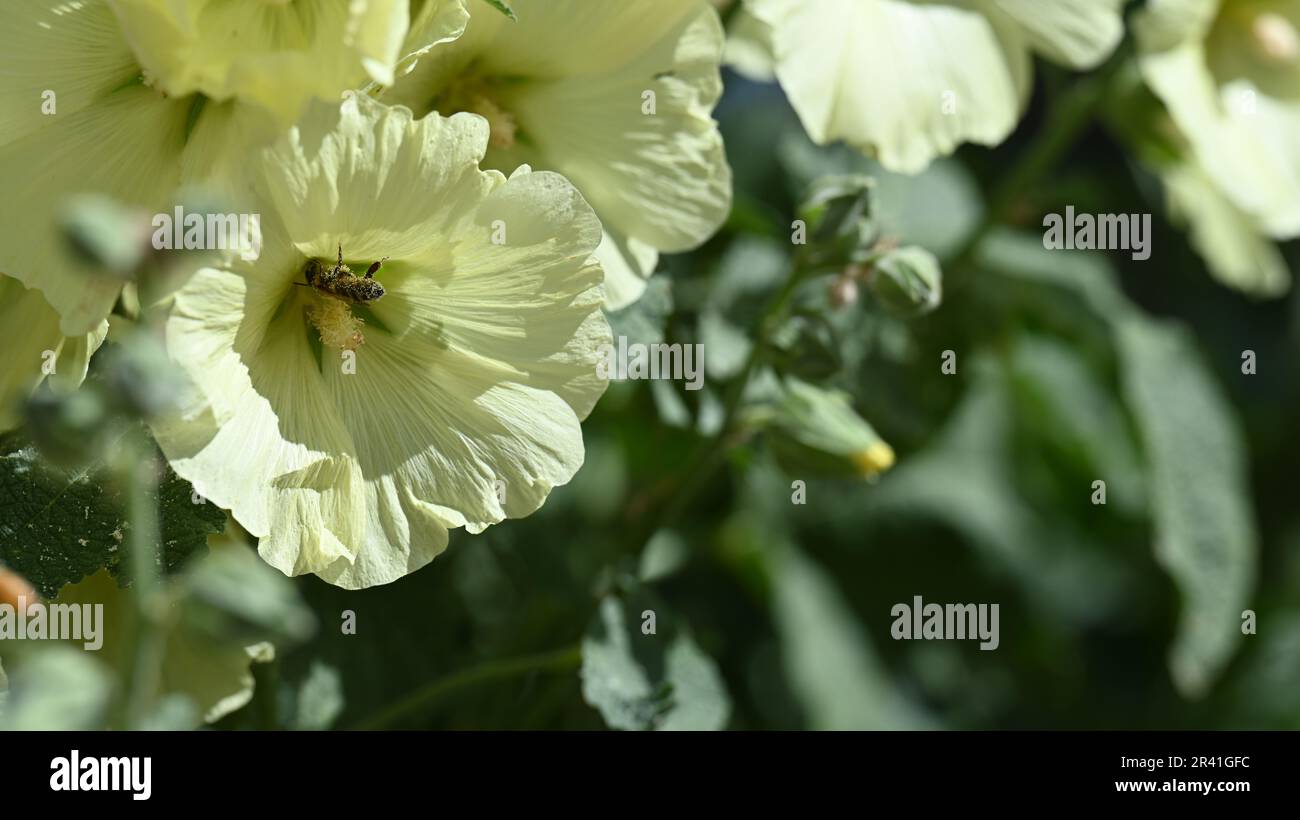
x=352 y=440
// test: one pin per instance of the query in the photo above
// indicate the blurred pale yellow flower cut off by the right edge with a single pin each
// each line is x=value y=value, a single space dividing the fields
x=1229 y=75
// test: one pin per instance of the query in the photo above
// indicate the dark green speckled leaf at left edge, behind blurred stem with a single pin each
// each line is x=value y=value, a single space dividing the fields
x=63 y=526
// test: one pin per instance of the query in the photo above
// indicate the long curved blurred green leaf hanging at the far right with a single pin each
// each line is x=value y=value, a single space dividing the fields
x=1194 y=454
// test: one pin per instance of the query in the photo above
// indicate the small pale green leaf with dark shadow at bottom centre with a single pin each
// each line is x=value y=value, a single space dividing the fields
x=649 y=682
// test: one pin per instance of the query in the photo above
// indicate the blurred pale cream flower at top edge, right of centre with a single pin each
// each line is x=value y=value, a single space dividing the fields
x=908 y=81
